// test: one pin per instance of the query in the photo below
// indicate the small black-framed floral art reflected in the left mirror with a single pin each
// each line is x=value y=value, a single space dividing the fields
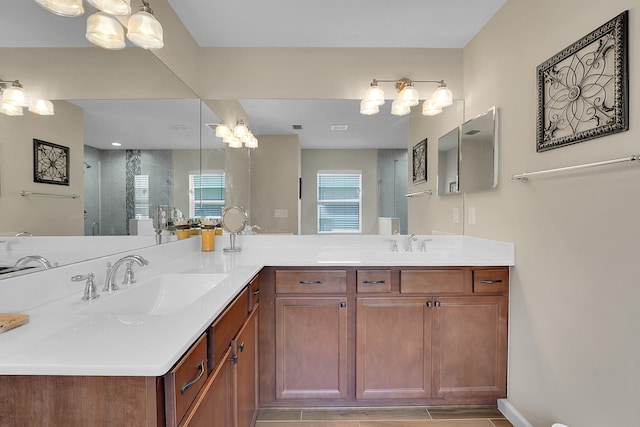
x=50 y=163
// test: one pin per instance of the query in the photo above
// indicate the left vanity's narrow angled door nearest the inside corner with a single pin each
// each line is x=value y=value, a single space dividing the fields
x=246 y=370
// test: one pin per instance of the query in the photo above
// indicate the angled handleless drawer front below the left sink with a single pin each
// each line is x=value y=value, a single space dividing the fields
x=226 y=327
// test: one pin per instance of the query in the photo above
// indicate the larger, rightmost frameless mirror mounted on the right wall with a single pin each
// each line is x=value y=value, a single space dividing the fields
x=478 y=153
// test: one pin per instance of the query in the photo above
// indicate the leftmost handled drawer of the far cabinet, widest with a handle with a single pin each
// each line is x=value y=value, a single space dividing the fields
x=311 y=281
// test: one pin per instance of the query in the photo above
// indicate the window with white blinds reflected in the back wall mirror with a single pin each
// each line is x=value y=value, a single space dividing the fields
x=339 y=202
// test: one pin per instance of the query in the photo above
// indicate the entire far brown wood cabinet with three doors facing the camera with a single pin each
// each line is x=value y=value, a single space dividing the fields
x=412 y=335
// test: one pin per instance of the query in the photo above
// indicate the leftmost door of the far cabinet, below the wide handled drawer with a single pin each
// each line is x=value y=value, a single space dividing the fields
x=311 y=347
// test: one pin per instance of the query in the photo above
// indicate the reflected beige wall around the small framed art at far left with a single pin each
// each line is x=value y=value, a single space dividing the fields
x=36 y=214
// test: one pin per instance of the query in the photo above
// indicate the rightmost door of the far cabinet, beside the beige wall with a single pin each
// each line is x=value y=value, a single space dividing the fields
x=470 y=346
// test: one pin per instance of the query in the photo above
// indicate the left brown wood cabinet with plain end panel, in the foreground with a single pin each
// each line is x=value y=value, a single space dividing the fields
x=206 y=387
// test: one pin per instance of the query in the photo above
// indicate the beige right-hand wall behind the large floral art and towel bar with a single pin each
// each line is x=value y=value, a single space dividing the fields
x=574 y=326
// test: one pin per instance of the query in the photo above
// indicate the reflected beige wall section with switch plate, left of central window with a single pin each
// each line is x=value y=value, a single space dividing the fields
x=275 y=169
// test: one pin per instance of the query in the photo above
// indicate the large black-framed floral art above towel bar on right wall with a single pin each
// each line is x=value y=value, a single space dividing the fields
x=583 y=90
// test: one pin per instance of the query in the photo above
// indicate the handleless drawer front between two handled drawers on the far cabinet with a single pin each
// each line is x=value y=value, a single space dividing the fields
x=432 y=281
